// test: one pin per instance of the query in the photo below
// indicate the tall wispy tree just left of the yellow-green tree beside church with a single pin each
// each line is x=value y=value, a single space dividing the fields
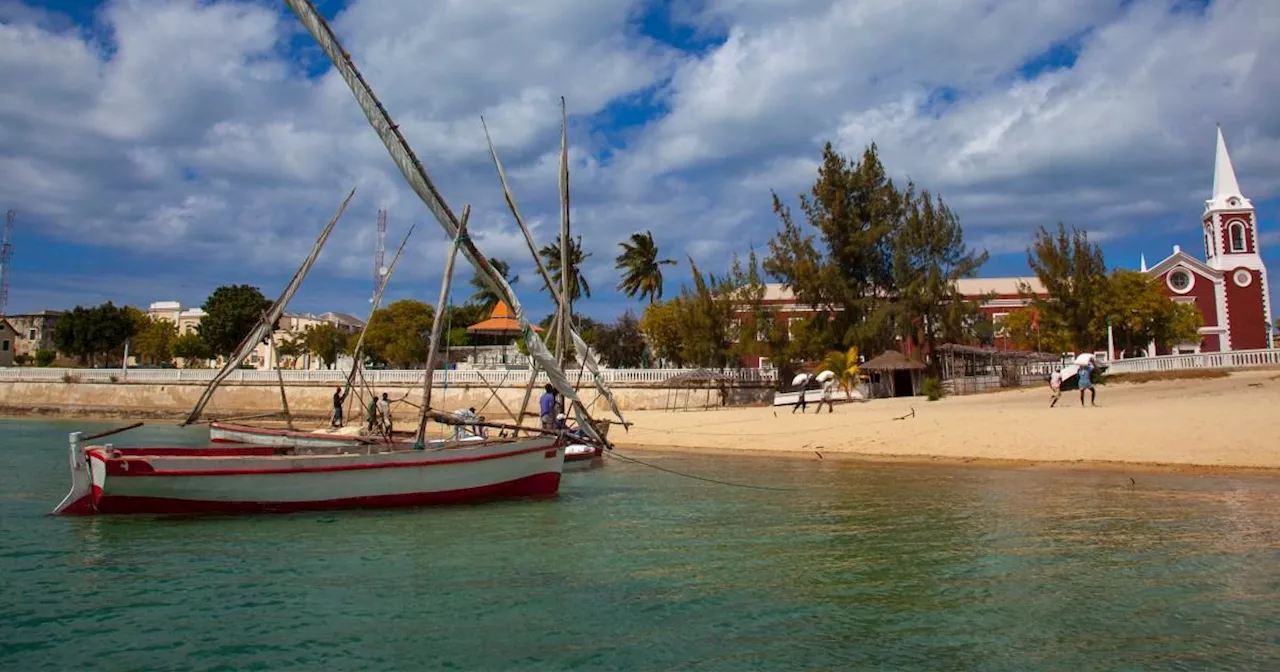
x=1075 y=276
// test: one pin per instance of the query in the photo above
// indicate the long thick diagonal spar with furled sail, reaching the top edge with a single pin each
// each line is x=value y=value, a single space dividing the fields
x=422 y=185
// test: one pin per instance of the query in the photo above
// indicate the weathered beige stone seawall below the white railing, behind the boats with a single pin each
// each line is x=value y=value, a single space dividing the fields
x=176 y=400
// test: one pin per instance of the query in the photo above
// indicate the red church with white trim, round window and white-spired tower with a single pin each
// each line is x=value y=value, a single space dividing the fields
x=1231 y=285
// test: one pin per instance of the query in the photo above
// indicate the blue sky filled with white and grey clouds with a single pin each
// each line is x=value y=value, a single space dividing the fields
x=156 y=150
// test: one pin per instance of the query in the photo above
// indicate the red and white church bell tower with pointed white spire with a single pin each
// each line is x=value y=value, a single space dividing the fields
x=1232 y=249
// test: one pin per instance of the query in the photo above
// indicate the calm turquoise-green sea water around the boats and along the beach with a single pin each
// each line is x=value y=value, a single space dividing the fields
x=862 y=568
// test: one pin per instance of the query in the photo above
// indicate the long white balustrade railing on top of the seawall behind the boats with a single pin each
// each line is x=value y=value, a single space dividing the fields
x=620 y=378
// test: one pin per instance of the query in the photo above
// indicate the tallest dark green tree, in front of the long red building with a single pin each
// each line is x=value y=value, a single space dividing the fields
x=845 y=268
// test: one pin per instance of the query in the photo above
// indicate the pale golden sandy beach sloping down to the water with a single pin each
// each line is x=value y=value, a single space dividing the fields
x=1226 y=423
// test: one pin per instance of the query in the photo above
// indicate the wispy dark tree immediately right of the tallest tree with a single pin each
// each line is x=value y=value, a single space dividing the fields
x=930 y=257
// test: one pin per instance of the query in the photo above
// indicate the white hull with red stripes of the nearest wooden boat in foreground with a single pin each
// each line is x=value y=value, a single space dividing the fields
x=269 y=479
